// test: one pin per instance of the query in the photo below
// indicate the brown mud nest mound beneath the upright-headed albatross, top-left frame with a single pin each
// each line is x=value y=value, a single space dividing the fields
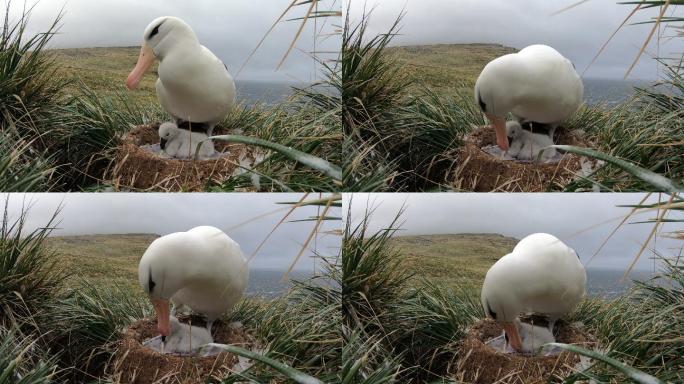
x=139 y=168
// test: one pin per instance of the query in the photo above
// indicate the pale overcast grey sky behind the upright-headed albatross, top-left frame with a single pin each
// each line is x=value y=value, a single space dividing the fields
x=231 y=29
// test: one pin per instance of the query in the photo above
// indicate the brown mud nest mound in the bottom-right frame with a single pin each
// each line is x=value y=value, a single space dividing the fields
x=483 y=364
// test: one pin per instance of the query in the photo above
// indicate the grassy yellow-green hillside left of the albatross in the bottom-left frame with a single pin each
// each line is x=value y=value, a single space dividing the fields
x=102 y=259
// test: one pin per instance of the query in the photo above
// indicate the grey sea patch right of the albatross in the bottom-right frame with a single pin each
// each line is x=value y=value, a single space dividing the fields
x=609 y=283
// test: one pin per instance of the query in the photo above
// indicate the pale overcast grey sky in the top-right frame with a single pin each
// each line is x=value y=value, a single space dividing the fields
x=578 y=33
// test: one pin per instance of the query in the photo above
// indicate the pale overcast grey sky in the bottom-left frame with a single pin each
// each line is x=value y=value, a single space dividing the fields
x=120 y=213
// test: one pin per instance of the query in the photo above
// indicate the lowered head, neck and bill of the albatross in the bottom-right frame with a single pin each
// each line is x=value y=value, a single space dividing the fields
x=500 y=302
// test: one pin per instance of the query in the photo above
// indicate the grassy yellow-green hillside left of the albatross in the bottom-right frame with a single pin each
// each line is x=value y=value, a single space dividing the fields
x=454 y=260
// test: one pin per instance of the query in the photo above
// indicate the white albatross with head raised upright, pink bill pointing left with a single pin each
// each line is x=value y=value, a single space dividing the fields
x=194 y=86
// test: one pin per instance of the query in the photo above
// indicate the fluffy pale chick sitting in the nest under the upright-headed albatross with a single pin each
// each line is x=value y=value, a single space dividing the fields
x=182 y=144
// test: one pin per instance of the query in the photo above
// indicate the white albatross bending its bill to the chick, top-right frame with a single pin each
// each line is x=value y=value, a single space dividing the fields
x=536 y=84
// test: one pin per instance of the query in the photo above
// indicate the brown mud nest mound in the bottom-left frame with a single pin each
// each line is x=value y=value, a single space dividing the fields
x=135 y=363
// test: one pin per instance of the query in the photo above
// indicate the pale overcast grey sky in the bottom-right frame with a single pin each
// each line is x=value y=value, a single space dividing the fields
x=582 y=221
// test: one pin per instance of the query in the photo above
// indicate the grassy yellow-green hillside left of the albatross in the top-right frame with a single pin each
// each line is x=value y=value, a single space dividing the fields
x=446 y=66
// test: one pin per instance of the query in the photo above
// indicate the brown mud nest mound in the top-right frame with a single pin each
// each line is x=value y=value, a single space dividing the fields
x=480 y=171
